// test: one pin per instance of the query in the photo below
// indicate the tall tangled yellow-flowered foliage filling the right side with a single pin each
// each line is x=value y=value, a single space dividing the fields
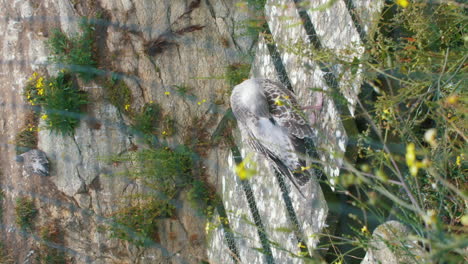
x=412 y=148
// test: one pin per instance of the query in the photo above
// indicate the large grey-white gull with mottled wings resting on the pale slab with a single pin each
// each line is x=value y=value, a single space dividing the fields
x=272 y=123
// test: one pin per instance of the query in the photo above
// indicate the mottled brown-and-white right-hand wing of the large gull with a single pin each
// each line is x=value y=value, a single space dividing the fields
x=284 y=109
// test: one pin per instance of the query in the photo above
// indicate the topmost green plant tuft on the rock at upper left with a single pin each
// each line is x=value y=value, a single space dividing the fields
x=75 y=53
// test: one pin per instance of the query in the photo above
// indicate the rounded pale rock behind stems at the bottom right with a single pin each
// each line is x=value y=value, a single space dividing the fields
x=390 y=243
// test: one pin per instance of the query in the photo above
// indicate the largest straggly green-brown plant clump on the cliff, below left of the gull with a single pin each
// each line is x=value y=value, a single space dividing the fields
x=163 y=171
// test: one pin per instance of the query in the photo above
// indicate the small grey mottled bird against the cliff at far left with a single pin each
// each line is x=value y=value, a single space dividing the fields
x=34 y=162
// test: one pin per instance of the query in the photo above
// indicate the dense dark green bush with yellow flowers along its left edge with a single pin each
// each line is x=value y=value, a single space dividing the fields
x=62 y=104
